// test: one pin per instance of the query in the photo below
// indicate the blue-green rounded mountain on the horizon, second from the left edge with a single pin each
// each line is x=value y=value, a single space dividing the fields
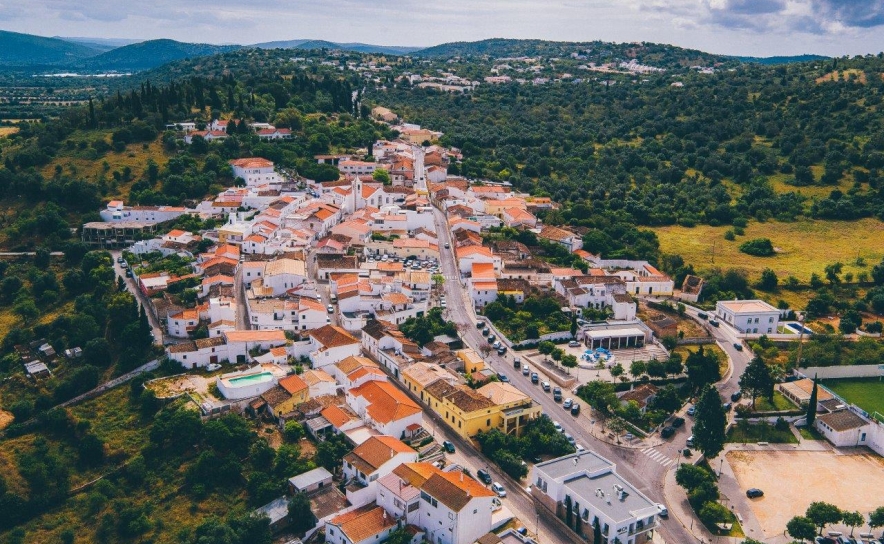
x=153 y=53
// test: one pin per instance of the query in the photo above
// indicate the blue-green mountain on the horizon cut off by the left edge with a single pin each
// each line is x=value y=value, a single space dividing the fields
x=29 y=50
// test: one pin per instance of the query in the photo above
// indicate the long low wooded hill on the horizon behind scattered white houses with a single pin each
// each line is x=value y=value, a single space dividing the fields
x=661 y=55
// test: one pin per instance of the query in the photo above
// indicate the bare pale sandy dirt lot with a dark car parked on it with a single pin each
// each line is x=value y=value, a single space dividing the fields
x=791 y=480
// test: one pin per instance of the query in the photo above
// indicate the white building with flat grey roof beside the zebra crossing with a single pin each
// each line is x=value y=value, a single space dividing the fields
x=590 y=486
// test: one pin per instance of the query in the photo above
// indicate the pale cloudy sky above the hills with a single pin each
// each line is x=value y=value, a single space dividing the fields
x=736 y=27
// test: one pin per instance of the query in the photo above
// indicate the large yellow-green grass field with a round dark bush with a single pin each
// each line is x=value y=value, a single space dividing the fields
x=804 y=247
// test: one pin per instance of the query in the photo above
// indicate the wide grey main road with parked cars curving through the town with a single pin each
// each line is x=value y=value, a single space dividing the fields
x=645 y=468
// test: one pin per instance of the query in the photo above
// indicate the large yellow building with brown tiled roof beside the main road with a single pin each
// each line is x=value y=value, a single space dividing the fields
x=468 y=412
